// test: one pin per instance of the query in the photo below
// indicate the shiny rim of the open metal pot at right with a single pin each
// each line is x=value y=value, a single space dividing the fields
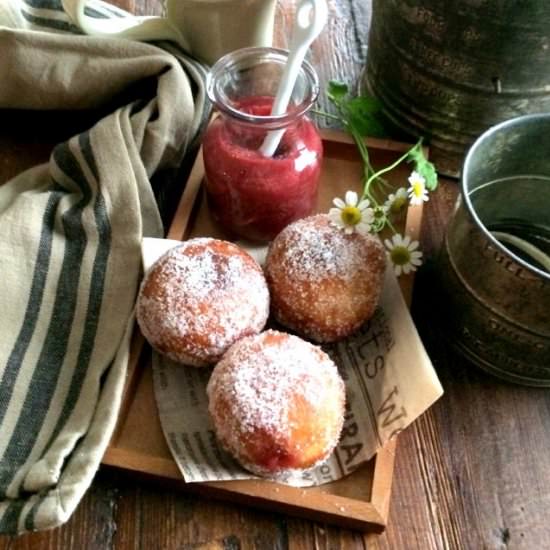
x=468 y=201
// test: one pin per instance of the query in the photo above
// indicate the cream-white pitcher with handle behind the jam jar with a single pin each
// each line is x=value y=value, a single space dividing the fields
x=207 y=29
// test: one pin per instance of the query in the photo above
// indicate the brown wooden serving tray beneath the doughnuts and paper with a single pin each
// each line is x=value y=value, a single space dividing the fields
x=361 y=499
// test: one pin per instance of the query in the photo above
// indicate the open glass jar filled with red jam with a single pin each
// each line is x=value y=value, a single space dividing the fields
x=249 y=194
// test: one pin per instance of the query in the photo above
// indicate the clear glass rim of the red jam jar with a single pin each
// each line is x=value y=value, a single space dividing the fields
x=243 y=55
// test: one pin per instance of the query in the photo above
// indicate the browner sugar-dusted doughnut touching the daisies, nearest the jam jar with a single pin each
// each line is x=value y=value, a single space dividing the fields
x=324 y=284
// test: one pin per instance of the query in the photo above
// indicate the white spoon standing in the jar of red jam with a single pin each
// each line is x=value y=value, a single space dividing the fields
x=311 y=17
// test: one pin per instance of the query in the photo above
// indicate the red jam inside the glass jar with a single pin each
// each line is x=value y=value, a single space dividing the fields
x=253 y=196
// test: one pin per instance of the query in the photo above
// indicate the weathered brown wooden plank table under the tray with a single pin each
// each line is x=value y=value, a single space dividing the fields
x=473 y=472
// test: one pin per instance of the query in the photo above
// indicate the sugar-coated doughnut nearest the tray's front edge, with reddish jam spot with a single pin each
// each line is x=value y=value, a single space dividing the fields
x=277 y=404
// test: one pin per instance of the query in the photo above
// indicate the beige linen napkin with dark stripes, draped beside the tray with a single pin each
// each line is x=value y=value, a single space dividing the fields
x=70 y=245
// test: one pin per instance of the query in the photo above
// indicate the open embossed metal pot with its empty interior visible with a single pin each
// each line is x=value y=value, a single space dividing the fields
x=497 y=292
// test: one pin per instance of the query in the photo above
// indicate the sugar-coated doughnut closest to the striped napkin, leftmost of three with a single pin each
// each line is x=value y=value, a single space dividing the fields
x=201 y=297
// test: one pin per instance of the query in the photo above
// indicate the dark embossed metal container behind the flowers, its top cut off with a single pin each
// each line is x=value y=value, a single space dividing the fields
x=450 y=69
